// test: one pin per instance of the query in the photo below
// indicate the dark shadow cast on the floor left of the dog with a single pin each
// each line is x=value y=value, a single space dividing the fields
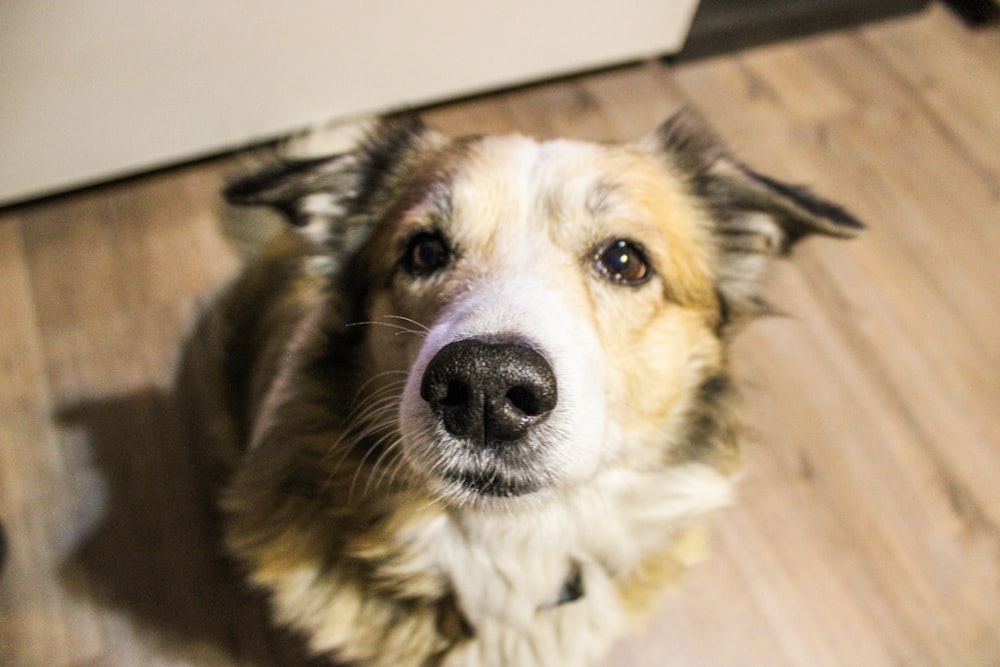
x=155 y=552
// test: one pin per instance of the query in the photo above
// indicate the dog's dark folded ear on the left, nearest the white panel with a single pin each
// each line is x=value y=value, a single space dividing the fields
x=322 y=196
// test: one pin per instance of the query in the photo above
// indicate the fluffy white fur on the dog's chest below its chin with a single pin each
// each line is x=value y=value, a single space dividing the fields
x=507 y=569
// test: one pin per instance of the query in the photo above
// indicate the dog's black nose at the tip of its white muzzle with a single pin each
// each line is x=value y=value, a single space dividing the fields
x=489 y=392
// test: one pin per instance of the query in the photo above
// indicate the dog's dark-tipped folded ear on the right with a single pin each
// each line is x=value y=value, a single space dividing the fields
x=753 y=218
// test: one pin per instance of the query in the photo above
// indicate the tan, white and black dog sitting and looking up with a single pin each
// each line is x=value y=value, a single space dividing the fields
x=471 y=407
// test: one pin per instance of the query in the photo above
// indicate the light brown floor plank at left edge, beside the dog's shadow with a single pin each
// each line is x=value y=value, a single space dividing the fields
x=40 y=624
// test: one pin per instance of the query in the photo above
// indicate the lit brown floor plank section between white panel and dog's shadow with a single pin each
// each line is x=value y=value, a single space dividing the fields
x=146 y=246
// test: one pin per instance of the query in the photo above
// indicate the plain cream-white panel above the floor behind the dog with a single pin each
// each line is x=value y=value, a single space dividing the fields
x=93 y=89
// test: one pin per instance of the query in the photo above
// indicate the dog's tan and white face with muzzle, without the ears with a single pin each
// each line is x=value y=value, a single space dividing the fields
x=569 y=310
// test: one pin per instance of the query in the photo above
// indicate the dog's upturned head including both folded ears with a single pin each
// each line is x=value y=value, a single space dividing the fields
x=564 y=305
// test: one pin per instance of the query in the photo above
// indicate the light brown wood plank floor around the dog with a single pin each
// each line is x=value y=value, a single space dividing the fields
x=868 y=527
